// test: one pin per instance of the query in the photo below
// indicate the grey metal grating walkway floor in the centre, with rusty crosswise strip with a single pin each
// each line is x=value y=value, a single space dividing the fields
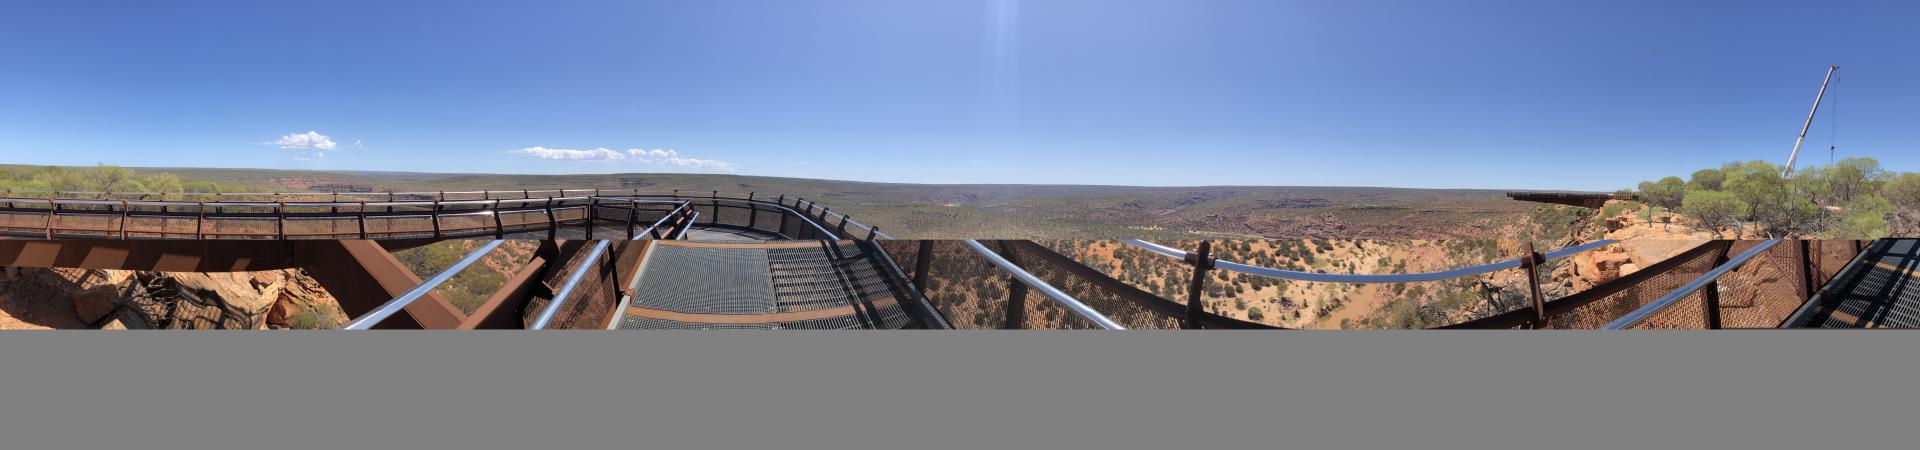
x=771 y=286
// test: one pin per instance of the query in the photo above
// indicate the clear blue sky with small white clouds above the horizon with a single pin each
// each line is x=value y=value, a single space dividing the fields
x=1487 y=95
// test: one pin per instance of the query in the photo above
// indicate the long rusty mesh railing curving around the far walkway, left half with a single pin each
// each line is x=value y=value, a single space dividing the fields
x=441 y=214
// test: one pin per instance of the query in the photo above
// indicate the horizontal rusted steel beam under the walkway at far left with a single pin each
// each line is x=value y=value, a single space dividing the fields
x=149 y=255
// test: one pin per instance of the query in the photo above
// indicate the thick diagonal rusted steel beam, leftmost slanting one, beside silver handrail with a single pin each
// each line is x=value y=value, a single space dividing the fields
x=364 y=276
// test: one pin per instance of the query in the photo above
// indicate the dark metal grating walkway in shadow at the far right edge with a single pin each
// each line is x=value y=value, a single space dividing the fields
x=1877 y=291
